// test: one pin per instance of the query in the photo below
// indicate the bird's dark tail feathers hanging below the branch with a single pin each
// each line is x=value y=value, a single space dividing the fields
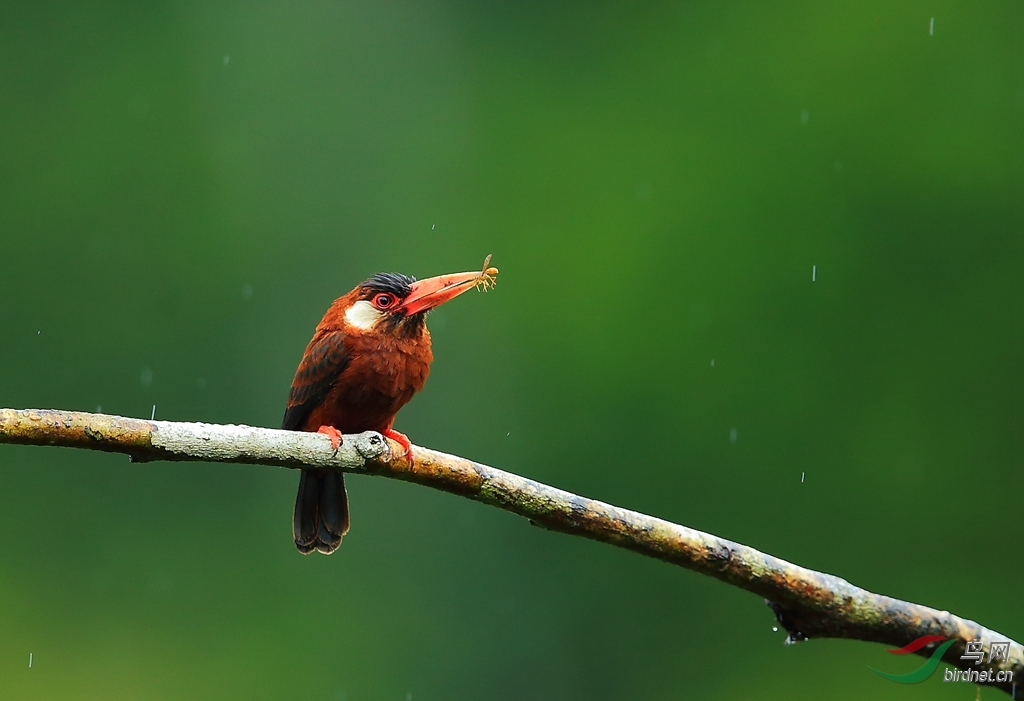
x=321 y=512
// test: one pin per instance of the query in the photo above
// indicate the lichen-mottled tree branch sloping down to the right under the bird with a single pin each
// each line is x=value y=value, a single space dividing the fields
x=807 y=604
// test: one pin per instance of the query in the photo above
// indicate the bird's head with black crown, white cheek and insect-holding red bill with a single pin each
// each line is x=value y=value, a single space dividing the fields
x=391 y=302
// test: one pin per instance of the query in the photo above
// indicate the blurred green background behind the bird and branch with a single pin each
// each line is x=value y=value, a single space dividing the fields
x=187 y=187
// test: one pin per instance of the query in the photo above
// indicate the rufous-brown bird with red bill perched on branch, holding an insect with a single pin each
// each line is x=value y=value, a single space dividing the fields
x=370 y=355
